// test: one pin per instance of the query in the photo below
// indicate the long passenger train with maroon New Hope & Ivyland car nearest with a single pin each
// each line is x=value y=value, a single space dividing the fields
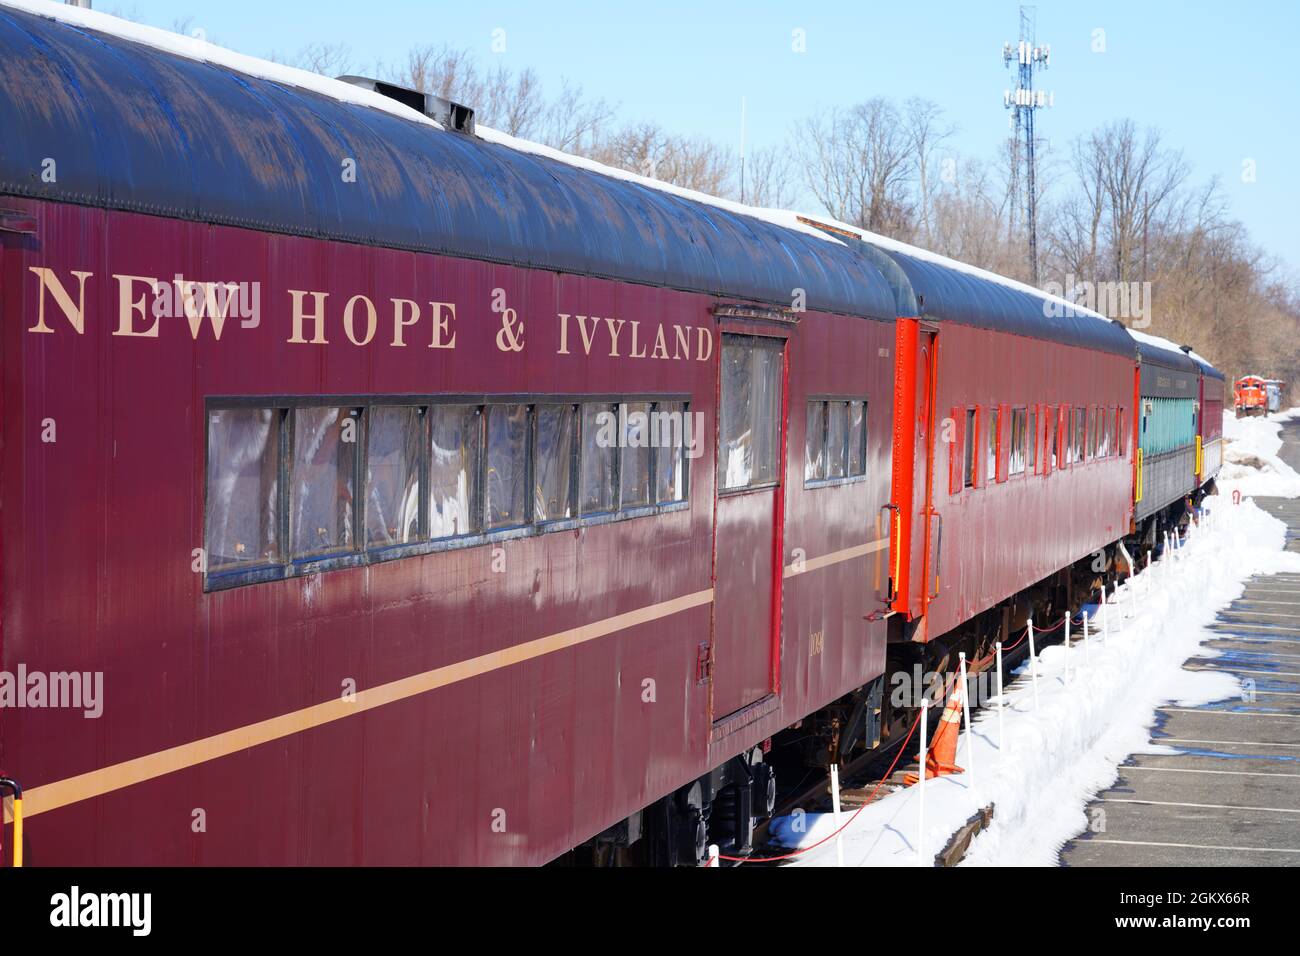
x=380 y=490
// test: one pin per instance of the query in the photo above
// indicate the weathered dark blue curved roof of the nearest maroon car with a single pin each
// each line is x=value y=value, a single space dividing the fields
x=140 y=128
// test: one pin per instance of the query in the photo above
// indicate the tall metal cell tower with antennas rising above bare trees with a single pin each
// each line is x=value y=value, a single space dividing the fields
x=1024 y=101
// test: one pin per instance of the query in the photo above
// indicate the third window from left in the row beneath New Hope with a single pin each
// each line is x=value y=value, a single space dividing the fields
x=395 y=458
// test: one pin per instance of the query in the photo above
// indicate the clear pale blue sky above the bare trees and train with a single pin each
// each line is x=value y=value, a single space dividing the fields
x=1221 y=80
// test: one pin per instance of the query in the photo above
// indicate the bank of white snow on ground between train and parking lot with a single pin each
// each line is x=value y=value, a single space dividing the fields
x=1065 y=750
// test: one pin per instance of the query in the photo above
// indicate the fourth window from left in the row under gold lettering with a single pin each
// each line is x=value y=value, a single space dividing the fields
x=454 y=470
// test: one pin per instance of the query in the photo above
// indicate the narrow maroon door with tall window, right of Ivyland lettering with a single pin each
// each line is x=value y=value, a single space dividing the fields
x=752 y=421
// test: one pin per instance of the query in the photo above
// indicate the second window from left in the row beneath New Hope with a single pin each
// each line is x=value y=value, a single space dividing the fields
x=323 y=481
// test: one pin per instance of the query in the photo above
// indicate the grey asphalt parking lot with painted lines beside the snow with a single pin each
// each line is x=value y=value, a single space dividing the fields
x=1232 y=794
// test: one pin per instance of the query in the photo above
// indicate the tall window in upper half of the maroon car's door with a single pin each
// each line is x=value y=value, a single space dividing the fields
x=748 y=440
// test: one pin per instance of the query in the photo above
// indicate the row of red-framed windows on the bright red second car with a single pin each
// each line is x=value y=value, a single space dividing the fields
x=1037 y=439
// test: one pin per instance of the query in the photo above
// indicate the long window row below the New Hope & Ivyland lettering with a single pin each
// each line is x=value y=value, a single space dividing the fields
x=313 y=483
